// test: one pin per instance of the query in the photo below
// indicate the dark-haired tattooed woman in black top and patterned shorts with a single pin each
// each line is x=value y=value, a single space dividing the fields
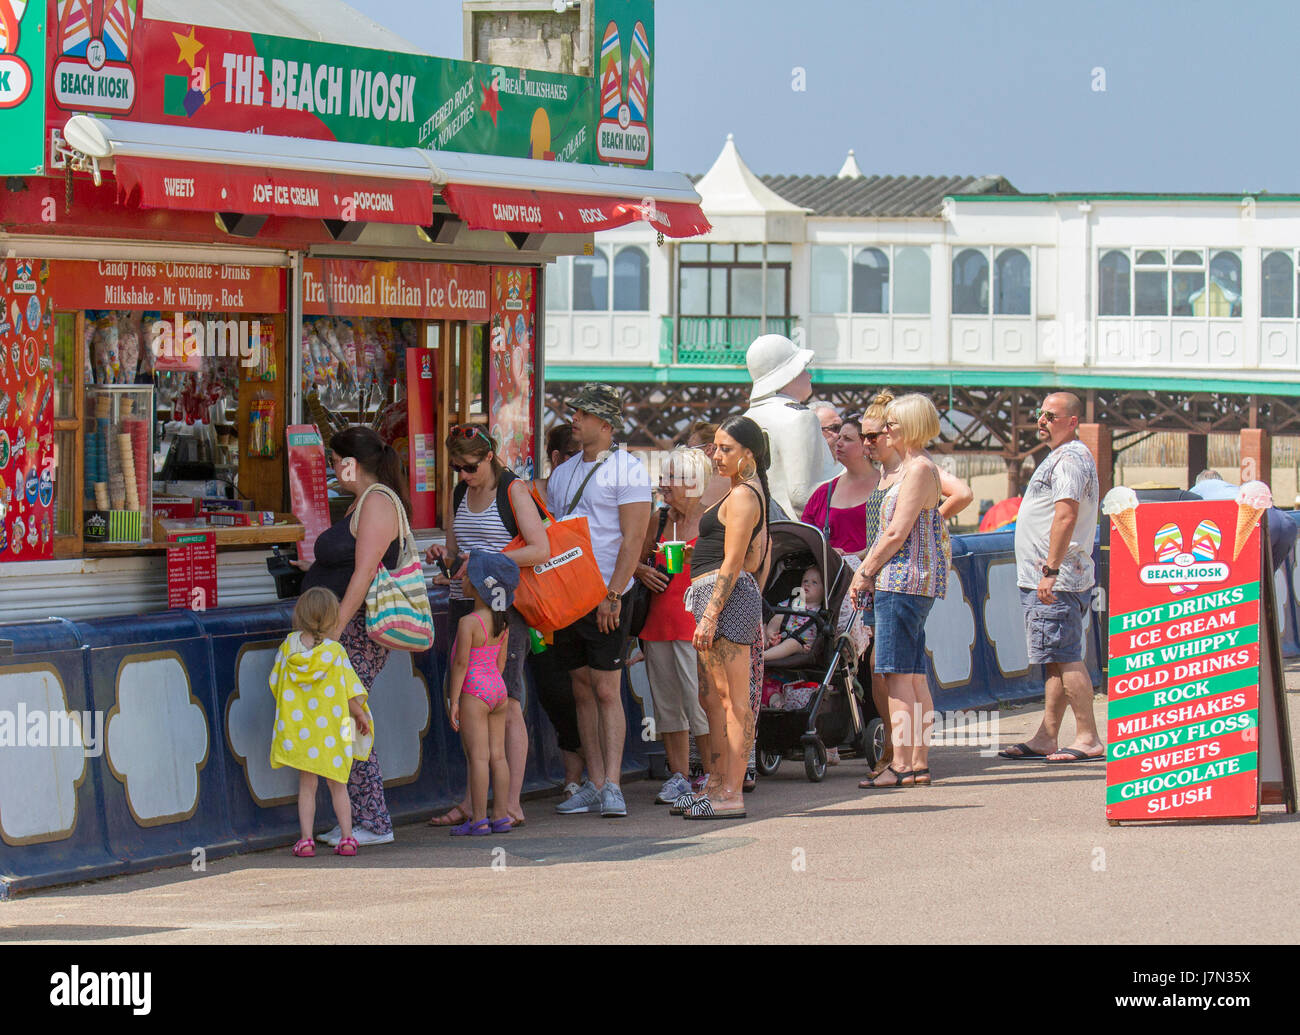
x=727 y=569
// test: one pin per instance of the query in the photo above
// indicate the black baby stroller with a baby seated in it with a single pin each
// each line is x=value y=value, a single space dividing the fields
x=839 y=712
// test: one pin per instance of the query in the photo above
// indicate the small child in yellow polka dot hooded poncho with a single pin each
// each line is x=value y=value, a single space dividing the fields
x=320 y=708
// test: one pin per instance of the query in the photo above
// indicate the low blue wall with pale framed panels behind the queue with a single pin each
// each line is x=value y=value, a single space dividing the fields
x=177 y=759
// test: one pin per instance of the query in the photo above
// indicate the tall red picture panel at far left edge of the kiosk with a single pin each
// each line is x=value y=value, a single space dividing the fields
x=27 y=412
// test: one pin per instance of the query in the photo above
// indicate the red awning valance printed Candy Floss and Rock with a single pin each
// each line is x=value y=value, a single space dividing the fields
x=551 y=213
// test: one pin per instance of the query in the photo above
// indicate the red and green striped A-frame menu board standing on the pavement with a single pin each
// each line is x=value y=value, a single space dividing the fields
x=1186 y=621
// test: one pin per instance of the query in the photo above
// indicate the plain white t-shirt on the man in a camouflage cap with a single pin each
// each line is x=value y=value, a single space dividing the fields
x=622 y=479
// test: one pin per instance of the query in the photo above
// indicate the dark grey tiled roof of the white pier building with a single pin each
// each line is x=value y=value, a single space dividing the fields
x=881 y=197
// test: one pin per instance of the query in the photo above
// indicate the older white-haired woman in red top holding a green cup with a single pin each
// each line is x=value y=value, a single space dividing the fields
x=671 y=662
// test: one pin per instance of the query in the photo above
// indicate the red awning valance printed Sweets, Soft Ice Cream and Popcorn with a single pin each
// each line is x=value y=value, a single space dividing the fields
x=294 y=193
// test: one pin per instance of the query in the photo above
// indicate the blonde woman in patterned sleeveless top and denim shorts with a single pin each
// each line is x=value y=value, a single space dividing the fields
x=905 y=571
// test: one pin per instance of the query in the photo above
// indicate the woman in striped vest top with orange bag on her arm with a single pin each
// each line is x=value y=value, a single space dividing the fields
x=480 y=525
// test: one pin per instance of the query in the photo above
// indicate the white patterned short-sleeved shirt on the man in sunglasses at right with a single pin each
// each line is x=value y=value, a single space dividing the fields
x=1068 y=473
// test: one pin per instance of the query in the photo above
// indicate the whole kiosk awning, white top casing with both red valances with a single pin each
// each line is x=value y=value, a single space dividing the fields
x=262 y=176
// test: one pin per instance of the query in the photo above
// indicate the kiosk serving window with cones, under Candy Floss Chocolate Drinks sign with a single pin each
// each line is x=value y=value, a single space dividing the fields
x=164 y=405
